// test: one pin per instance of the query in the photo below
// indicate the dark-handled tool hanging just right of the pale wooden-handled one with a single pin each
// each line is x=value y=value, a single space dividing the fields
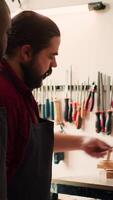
x=66 y=100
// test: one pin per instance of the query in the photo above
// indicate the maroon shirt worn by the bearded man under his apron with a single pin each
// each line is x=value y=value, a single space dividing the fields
x=20 y=107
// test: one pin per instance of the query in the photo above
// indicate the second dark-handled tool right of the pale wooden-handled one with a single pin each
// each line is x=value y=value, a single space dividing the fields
x=70 y=100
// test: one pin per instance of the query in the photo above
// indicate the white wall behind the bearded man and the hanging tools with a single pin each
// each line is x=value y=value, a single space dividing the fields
x=87 y=45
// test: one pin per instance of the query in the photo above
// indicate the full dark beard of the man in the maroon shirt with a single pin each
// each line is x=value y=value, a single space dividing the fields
x=31 y=78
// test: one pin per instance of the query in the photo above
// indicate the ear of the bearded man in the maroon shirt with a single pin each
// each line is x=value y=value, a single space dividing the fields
x=26 y=53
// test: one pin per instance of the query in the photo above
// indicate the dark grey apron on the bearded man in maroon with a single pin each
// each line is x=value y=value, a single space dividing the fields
x=33 y=177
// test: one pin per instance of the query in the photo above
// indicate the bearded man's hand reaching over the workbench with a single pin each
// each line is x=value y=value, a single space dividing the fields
x=96 y=148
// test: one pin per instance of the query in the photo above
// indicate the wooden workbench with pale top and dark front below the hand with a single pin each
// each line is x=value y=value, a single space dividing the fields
x=94 y=187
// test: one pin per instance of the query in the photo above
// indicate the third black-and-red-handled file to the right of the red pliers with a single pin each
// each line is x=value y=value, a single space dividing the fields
x=108 y=125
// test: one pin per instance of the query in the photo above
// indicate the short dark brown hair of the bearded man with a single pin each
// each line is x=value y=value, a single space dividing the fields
x=31 y=28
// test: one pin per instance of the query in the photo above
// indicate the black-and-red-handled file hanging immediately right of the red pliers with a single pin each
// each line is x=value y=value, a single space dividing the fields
x=98 y=122
